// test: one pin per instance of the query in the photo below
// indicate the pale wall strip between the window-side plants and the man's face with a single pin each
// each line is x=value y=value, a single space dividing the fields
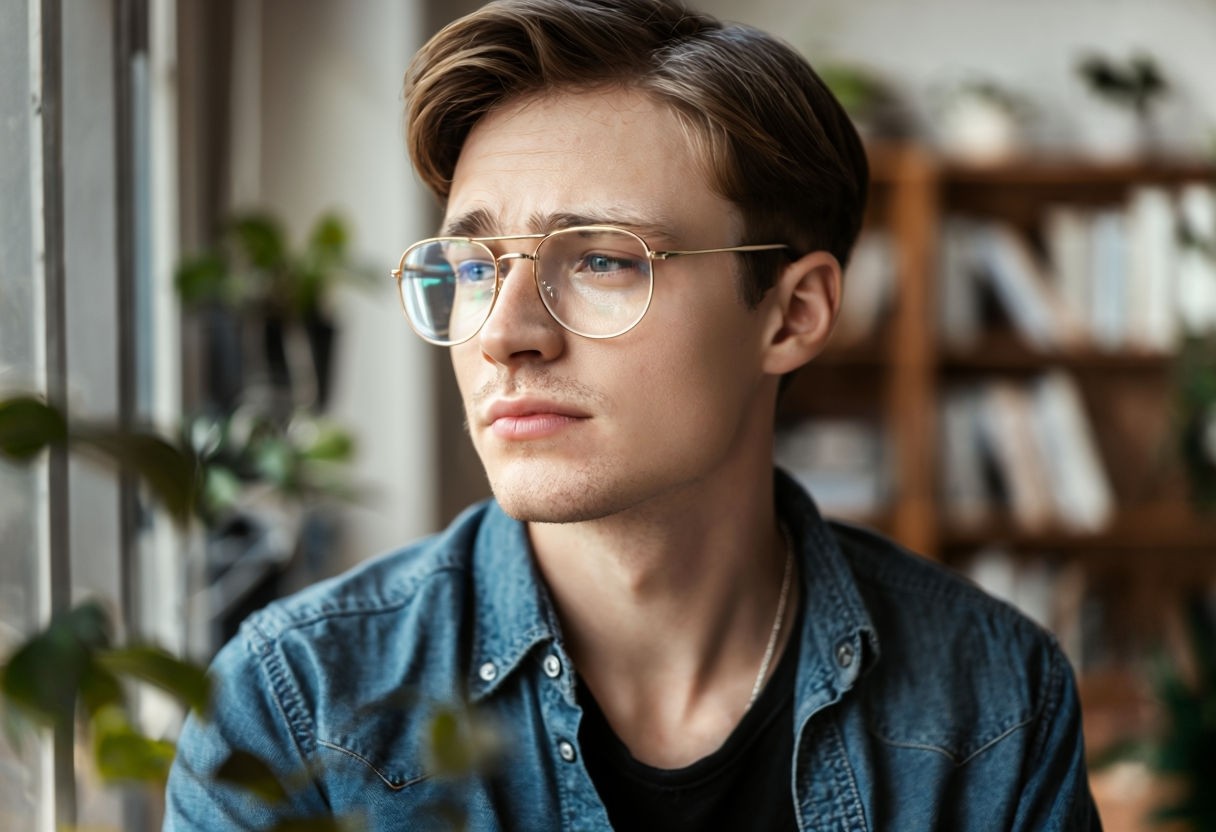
x=331 y=138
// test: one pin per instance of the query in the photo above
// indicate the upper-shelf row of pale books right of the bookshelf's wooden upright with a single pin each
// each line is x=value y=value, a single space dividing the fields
x=1112 y=279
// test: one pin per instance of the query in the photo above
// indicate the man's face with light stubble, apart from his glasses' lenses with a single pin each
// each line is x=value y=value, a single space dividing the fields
x=572 y=429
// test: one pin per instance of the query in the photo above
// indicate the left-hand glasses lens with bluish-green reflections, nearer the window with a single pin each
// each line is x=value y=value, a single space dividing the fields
x=448 y=289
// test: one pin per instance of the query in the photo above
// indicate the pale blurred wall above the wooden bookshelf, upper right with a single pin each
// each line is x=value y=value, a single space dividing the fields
x=1031 y=47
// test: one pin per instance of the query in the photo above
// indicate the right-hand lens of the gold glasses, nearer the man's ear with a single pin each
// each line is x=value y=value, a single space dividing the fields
x=595 y=282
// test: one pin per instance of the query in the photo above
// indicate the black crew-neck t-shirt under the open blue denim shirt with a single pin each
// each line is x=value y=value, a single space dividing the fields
x=745 y=785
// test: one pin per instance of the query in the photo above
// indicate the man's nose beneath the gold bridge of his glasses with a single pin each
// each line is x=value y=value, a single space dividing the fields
x=520 y=327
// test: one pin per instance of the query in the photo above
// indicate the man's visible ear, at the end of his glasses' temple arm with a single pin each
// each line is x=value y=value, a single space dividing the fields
x=806 y=302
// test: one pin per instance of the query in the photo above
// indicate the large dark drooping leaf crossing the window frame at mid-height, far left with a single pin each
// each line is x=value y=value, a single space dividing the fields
x=168 y=473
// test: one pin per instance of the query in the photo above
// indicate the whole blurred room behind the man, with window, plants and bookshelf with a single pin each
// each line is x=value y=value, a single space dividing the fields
x=201 y=200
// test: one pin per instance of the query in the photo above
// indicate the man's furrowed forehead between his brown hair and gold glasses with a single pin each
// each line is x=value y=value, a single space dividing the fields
x=615 y=155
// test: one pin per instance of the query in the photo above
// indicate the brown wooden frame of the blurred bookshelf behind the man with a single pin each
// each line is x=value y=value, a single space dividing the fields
x=1156 y=549
